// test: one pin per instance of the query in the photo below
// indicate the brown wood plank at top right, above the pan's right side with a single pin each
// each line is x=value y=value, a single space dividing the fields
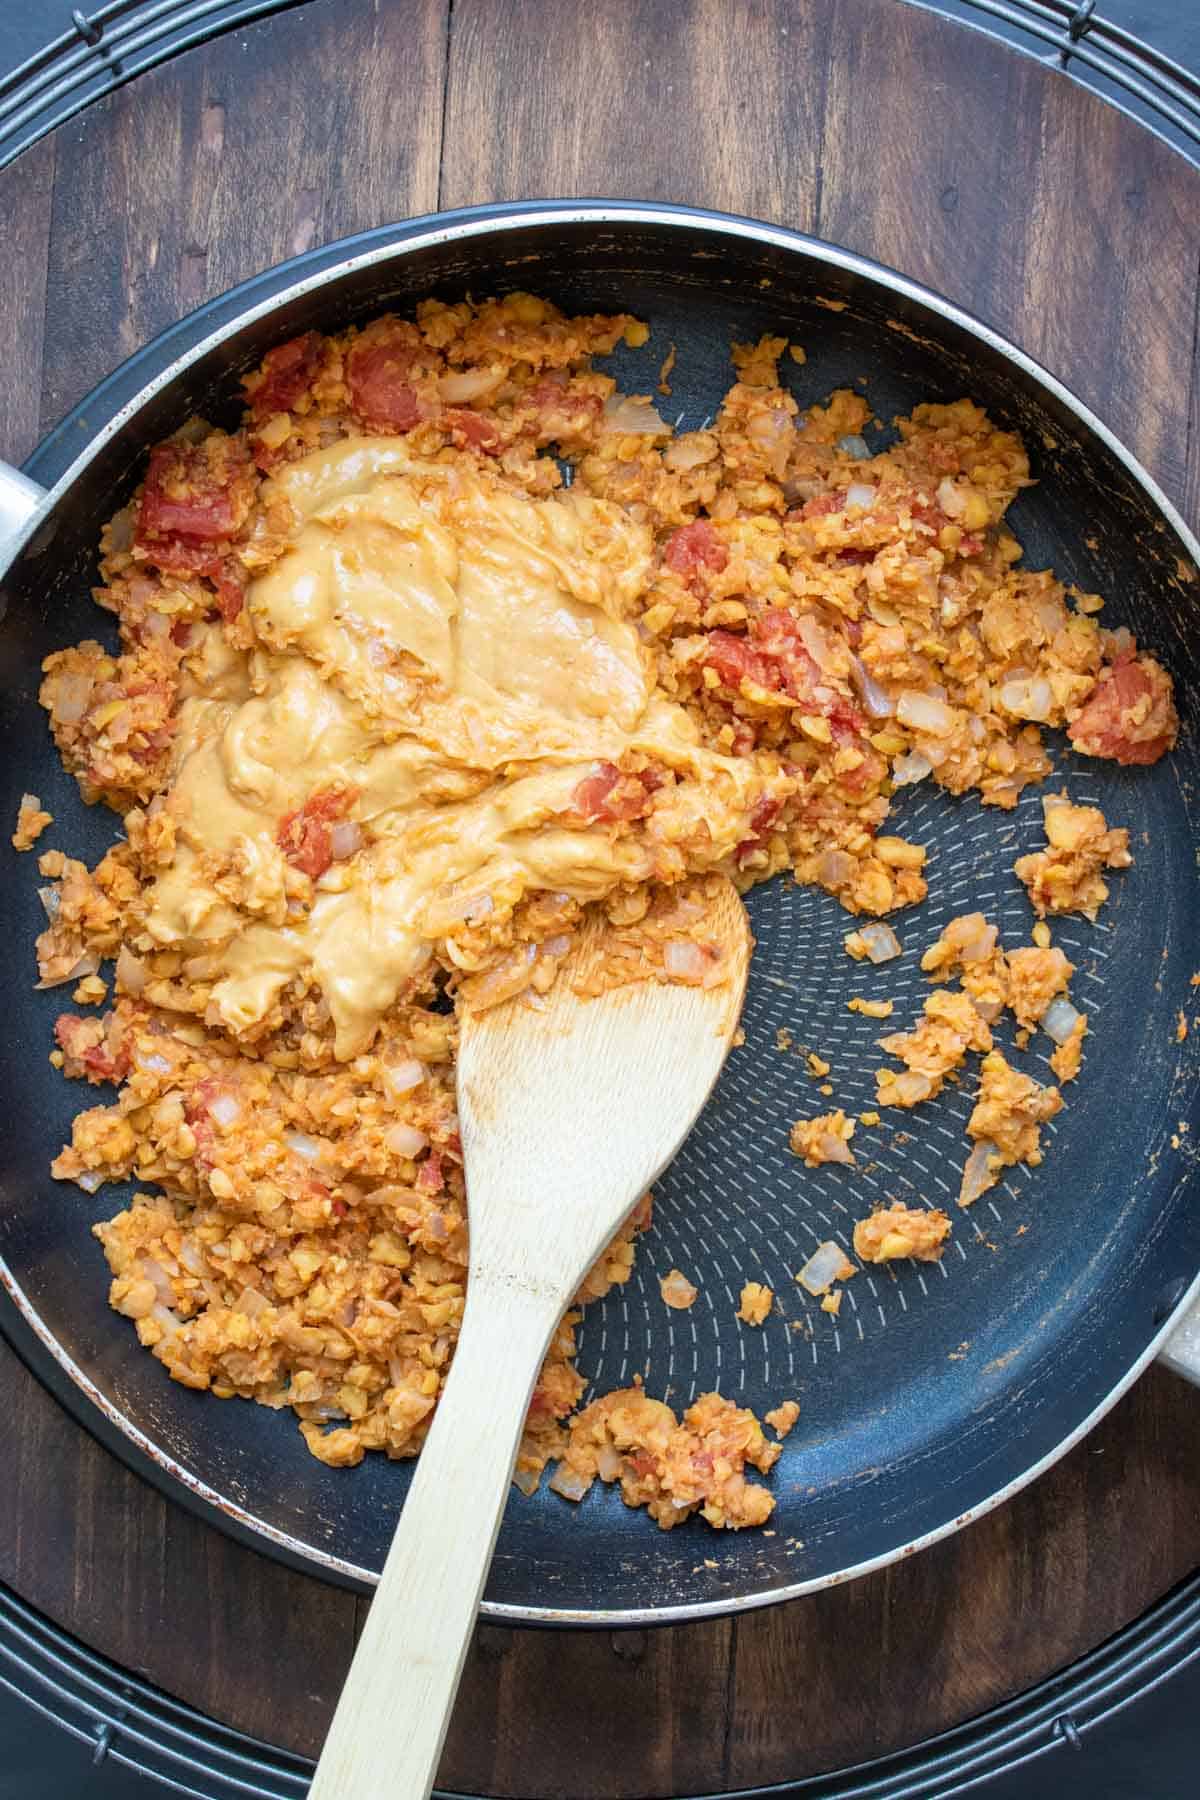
x=1080 y=238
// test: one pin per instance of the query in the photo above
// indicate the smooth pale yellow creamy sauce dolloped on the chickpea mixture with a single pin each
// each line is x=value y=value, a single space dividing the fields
x=460 y=658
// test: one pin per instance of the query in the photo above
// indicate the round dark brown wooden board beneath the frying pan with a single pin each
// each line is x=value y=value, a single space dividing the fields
x=872 y=123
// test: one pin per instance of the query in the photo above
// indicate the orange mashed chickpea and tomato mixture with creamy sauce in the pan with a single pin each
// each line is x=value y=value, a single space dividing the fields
x=395 y=703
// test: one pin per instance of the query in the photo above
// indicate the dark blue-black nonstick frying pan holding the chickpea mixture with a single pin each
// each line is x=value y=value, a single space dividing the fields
x=938 y=1390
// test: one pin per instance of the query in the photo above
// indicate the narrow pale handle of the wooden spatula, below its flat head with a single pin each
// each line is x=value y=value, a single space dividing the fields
x=391 y=1722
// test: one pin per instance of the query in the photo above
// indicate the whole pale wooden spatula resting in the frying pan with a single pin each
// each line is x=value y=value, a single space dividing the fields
x=568 y=1115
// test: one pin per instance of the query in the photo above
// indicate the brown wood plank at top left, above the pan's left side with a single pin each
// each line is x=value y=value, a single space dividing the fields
x=220 y=165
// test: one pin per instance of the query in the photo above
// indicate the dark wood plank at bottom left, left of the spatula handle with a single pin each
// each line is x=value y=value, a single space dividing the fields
x=154 y=1588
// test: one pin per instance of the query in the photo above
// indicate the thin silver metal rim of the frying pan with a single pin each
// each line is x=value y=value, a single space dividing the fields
x=433 y=231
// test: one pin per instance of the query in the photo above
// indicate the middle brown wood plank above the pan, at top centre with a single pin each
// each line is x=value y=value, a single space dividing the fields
x=656 y=100
